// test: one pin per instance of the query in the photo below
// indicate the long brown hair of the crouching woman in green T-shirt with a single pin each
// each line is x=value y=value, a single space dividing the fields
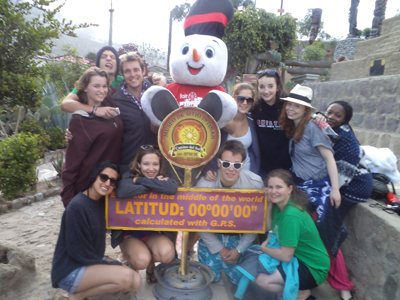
x=299 y=198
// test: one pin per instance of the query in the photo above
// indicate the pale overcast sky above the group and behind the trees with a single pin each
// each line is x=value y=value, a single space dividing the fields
x=146 y=21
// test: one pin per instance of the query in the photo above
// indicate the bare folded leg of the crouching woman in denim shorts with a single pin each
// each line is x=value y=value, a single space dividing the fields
x=102 y=279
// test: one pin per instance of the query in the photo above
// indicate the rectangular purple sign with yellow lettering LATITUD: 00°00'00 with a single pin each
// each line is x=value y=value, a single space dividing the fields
x=217 y=210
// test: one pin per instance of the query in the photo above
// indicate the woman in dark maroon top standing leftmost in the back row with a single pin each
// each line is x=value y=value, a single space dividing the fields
x=95 y=139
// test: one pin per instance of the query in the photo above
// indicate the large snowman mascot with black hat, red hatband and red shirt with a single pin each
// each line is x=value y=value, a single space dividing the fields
x=198 y=66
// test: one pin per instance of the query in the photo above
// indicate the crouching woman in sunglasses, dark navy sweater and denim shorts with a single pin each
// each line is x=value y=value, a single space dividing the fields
x=79 y=265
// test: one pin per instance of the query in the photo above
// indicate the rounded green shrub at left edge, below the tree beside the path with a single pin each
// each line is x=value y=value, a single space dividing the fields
x=18 y=160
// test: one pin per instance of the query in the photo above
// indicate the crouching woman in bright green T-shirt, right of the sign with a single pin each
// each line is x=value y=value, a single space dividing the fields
x=297 y=235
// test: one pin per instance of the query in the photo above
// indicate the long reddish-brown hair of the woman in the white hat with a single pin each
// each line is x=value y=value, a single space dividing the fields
x=288 y=125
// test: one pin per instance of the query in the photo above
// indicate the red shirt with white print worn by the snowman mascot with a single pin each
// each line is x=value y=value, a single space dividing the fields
x=190 y=95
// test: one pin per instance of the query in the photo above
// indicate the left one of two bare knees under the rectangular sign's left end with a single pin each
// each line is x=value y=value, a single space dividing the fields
x=137 y=252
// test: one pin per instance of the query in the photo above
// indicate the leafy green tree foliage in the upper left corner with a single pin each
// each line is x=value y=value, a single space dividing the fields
x=22 y=38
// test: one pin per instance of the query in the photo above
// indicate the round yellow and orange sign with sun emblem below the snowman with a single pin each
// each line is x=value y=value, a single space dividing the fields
x=189 y=137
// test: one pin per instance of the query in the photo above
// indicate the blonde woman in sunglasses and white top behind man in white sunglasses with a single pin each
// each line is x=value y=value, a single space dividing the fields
x=242 y=129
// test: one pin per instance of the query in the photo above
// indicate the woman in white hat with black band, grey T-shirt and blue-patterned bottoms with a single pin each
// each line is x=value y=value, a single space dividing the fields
x=313 y=164
